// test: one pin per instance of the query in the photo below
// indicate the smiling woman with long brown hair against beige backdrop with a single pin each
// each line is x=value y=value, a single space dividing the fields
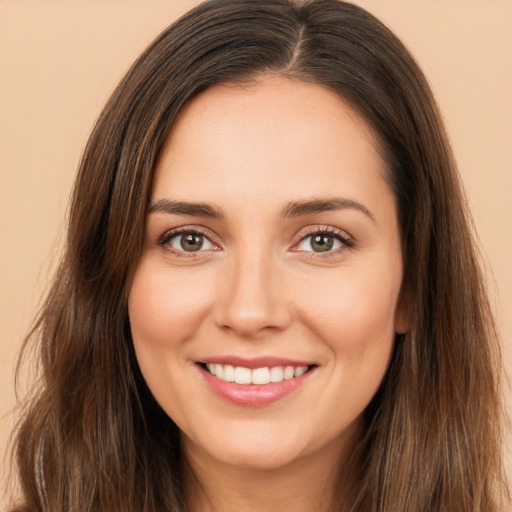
x=270 y=296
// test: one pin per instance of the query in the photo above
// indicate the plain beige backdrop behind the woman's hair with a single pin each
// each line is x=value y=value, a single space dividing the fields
x=59 y=60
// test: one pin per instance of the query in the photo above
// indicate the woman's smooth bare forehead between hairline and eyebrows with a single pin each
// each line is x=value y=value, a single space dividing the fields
x=286 y=135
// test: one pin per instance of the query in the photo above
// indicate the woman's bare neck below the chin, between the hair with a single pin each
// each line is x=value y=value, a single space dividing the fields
x=308 y=483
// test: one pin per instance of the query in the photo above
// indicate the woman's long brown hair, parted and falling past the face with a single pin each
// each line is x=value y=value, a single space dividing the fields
x=94 y=439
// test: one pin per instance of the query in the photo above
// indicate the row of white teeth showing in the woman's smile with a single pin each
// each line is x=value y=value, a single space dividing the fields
x=259 y=376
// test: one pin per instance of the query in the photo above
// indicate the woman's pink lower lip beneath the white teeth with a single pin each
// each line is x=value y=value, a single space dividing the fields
x=254 y=395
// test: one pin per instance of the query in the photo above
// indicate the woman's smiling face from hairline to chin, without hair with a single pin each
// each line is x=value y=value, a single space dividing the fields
x=272 y=254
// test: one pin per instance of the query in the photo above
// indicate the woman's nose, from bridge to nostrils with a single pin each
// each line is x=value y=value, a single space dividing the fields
x=252 y=301
